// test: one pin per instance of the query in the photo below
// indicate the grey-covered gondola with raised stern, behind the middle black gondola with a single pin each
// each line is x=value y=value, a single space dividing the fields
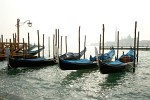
x=73 y=56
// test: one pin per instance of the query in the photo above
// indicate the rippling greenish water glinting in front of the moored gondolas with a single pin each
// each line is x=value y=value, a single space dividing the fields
x=51 y=83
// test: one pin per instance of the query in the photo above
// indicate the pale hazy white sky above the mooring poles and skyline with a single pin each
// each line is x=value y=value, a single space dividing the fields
x=68 y=15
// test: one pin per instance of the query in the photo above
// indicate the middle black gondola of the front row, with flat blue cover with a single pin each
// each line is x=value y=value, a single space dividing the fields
x=79 y=64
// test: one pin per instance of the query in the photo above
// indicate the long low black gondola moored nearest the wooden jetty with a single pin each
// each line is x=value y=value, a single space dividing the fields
x=31 y=62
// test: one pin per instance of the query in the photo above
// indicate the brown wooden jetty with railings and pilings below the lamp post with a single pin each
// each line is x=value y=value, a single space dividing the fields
x=17 y=49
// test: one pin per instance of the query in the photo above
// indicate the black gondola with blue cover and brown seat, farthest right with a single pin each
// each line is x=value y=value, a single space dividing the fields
x=124 y=63
